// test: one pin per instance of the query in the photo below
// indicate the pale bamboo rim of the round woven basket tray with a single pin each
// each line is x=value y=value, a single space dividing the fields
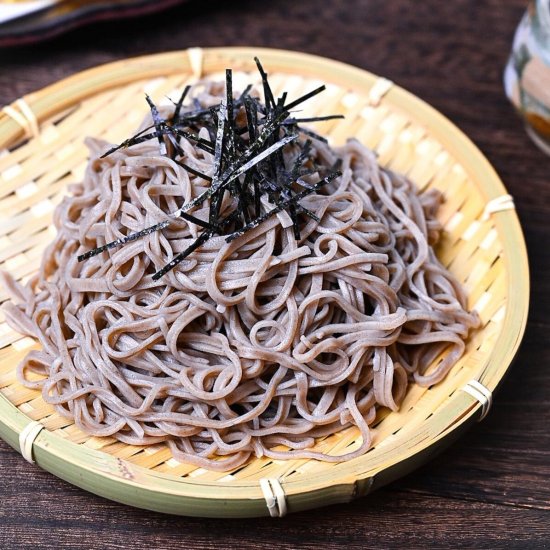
x=106 y=475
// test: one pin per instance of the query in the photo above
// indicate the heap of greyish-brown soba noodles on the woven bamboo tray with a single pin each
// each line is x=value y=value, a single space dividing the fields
x=254 y=347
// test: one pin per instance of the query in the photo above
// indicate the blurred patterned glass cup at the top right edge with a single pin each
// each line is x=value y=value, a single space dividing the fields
x=527 y=74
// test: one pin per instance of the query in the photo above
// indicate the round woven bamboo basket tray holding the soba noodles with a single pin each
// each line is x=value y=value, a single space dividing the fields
x=41 y=151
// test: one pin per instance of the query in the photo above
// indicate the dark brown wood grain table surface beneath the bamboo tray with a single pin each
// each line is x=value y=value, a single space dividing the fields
x=492 y=488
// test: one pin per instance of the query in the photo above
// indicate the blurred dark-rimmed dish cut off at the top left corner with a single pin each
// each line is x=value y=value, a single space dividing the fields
x=24 y=22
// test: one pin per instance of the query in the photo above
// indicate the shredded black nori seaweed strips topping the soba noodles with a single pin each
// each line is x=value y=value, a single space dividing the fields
x=257 y=152
